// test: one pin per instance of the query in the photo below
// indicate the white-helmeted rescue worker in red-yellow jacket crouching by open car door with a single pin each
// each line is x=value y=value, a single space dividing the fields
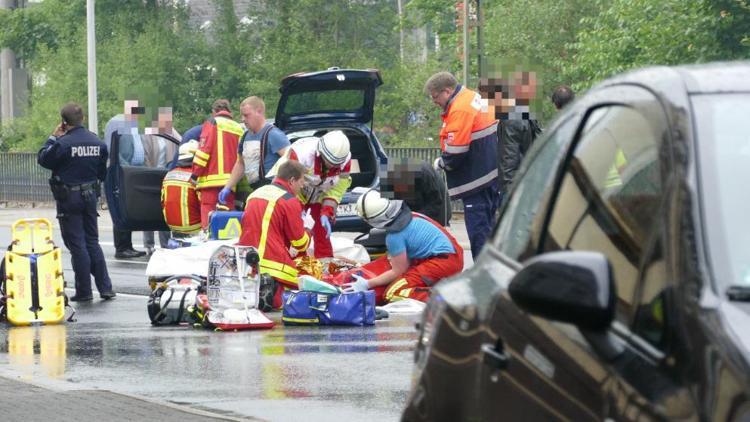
x=179 y=200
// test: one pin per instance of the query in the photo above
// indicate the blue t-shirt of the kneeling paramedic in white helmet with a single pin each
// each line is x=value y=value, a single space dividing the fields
x=420 y=239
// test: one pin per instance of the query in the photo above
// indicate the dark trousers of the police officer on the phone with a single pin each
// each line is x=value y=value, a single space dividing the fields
x=78 y=224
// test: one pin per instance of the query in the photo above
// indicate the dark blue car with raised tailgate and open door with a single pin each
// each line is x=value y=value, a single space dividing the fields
x=310 y=104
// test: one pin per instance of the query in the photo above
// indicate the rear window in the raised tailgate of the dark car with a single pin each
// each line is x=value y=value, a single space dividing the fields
x=346 y=100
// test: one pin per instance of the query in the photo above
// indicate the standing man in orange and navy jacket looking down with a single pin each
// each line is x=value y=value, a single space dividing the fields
x=468 y=144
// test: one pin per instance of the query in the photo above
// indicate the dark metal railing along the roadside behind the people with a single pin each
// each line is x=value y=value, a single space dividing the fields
x=23 y=180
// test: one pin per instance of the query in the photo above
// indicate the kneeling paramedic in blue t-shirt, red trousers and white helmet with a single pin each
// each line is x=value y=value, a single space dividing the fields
x=420 y=251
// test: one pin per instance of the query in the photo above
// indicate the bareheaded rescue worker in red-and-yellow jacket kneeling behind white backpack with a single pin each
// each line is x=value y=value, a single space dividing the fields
x=272 y=223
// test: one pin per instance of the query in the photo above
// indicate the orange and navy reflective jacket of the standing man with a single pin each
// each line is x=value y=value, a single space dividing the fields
x=468 y=141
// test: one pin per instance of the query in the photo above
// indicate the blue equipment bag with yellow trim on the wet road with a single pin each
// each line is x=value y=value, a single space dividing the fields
x=312 y=308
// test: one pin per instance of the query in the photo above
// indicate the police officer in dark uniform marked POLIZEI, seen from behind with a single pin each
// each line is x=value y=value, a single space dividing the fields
x=78 y=160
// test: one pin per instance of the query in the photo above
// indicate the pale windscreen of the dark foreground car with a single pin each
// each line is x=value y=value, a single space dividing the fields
x=723 y=135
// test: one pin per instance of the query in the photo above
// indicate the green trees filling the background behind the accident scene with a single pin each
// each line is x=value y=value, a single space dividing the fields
x=148 y=49
